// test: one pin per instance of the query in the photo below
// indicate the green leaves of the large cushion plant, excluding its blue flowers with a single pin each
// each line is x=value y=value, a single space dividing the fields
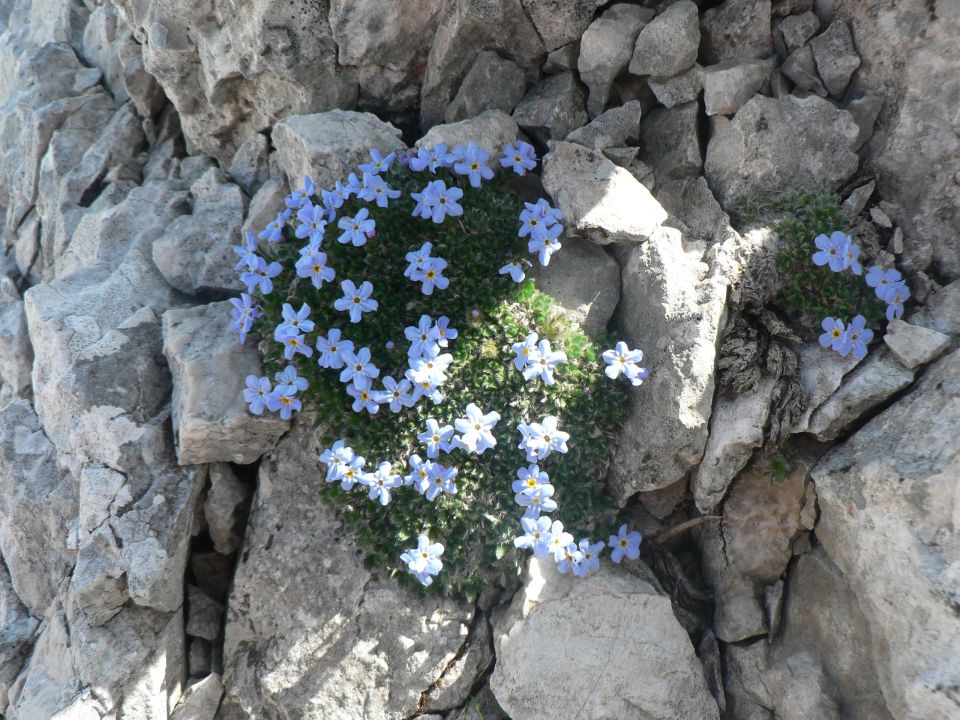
x=478 y=524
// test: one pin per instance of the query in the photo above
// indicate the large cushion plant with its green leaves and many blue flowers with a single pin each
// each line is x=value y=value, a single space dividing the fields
x=451 y=395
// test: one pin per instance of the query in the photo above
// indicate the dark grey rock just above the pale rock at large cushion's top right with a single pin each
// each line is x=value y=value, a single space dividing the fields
x=491 y=83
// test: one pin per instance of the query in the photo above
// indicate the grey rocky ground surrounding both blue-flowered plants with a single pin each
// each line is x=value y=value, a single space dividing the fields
x=165 y=554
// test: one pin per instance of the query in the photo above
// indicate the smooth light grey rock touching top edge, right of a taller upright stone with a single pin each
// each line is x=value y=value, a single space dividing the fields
x=668 y=44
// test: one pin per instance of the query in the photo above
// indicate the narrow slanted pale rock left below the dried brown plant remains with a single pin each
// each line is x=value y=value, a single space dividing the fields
x=736 y=430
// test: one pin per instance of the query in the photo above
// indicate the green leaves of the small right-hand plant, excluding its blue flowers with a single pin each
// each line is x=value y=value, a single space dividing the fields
x=810 y=293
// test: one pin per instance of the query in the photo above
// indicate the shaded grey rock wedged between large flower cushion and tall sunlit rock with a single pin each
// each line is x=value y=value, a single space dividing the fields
x=584 y=281
